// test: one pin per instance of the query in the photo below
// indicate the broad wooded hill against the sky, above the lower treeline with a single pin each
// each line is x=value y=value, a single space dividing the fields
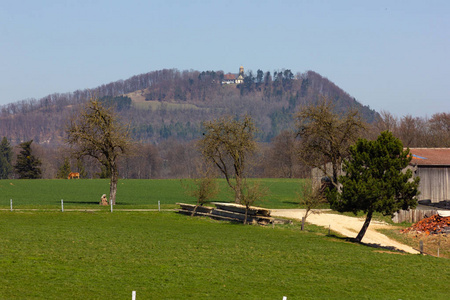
x=172 y=104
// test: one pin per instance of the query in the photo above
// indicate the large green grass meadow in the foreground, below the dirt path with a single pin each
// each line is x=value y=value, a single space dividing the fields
x=164 y=255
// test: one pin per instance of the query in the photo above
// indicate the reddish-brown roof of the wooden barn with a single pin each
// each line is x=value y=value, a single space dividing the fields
x=430 y=156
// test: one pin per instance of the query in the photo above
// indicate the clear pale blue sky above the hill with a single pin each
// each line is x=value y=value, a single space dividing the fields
x=389 y=55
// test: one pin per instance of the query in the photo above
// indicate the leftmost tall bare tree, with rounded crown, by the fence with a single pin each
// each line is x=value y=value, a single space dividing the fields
x=97 y=132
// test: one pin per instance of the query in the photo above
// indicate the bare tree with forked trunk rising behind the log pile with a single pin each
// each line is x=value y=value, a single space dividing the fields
x=227 y=143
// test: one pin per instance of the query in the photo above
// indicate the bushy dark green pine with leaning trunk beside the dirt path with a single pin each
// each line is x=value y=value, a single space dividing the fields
x=376 y=179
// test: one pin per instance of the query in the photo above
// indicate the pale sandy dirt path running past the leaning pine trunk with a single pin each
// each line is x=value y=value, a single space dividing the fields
x=347 y=226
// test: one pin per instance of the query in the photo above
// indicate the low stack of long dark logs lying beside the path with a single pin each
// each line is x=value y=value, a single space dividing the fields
x=232 y=212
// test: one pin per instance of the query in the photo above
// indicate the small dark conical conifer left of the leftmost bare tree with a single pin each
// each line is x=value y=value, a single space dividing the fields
x=27 y=165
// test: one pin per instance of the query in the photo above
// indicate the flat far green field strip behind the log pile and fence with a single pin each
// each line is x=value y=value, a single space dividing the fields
x=131 y=193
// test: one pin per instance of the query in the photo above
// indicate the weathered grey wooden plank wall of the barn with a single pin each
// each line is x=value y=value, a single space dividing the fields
x=434 y=183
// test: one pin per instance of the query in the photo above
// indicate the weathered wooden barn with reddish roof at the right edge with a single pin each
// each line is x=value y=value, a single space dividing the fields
x=432 y=165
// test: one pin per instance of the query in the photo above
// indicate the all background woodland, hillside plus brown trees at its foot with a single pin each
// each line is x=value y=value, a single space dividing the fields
x=164 y=111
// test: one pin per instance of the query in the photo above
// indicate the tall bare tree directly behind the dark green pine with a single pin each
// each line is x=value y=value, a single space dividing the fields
x=326 y=136
